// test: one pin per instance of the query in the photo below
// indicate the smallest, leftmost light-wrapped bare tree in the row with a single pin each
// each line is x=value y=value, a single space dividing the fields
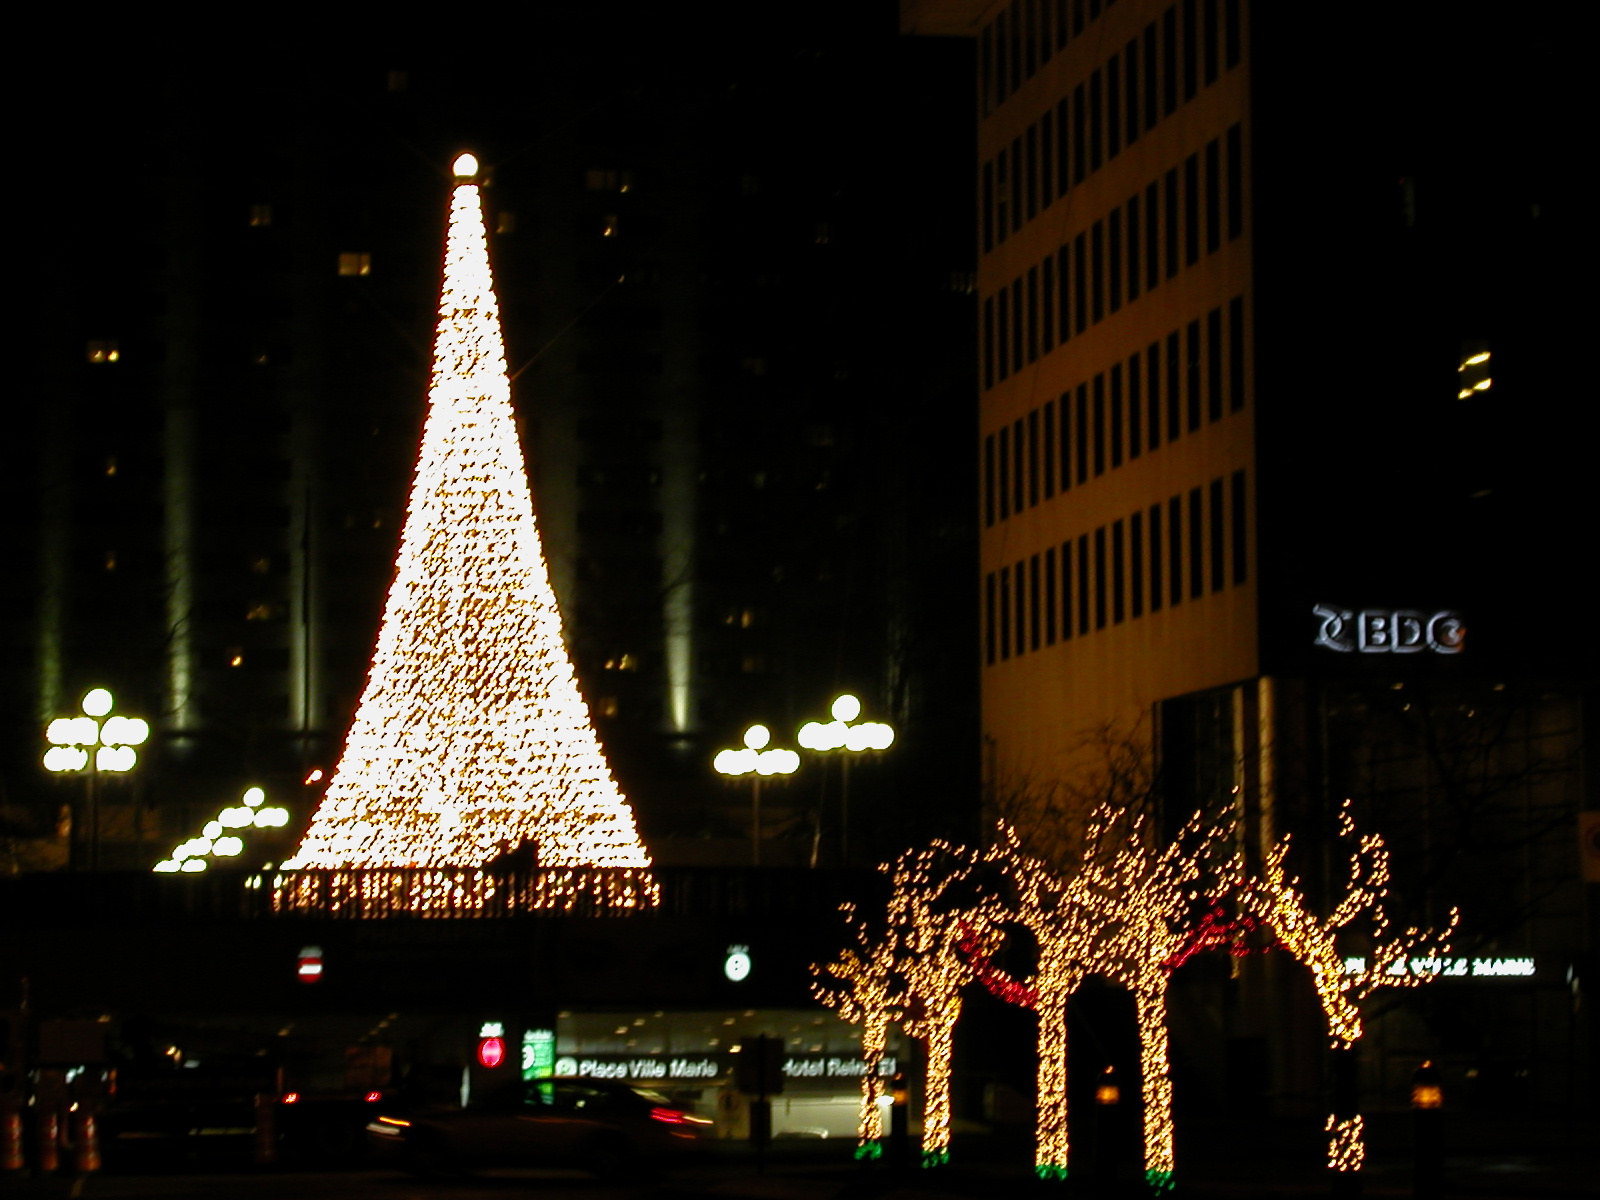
x=863 y=986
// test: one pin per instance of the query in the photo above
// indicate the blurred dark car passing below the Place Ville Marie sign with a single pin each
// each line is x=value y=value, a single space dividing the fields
x=599 y=1126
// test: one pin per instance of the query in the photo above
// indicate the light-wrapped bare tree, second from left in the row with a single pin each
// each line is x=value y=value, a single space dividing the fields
x=942 y=922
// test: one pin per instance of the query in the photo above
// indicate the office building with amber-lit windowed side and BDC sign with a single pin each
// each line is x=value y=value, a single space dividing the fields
x=1279 y=497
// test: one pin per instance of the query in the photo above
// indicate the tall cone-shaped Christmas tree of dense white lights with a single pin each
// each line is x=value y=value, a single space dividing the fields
x=471 y=740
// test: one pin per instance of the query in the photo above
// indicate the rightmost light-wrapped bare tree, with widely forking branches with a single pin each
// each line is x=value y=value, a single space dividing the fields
x=1394 y=961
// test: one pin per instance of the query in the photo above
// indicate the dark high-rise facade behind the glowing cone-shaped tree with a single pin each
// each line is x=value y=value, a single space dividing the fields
x=740 y=359
